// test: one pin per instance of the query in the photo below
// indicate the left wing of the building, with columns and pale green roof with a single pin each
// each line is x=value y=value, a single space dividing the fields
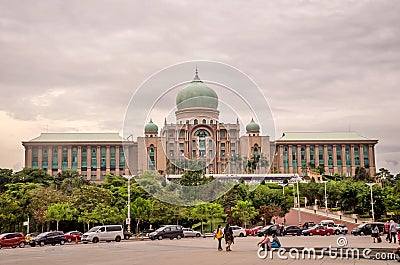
x=93 y=155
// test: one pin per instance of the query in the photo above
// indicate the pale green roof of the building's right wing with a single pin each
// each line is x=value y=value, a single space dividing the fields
x=322 y=136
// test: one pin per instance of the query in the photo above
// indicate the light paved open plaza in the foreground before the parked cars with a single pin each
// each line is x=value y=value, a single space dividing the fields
x=185 y=251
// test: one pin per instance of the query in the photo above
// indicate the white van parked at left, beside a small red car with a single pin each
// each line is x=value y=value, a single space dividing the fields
x=103 y=233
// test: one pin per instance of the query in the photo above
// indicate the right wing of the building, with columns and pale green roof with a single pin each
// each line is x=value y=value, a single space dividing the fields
x=338 y=153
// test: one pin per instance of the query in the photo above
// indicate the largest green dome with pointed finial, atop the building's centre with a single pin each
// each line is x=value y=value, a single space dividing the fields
x=197 y=95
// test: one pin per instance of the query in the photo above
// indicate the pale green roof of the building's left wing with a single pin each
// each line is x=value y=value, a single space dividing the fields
x=77 y=137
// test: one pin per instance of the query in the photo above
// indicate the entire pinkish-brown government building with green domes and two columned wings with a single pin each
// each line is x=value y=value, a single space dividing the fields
x=199 y=140
